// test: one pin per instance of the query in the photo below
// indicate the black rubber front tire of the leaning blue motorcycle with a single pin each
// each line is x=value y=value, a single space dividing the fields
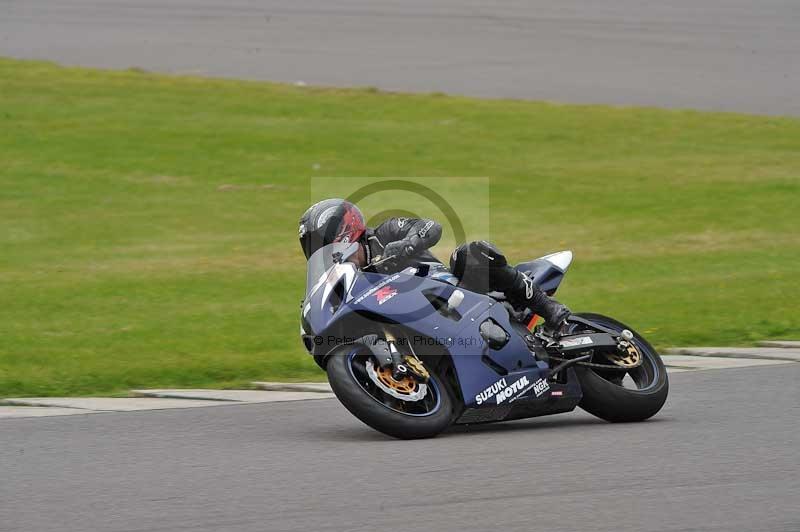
x=353 y=394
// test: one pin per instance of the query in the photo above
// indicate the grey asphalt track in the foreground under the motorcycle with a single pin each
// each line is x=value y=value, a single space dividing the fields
x=722 y=456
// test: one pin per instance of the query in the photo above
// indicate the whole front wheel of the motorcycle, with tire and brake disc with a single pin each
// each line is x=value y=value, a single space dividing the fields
x=395 y=408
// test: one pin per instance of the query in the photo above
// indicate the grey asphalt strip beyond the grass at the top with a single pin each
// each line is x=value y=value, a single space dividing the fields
x=734 y=55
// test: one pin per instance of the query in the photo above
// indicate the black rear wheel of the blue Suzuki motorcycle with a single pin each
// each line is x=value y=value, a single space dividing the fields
x=624 y=396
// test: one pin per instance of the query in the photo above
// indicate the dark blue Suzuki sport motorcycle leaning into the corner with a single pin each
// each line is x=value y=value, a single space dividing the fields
x=410 y=355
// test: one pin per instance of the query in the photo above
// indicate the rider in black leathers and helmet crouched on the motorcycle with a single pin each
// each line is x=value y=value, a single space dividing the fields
x=477 y=266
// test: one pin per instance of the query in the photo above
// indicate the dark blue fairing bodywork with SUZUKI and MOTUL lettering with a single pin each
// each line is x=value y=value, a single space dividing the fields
x=406 y=299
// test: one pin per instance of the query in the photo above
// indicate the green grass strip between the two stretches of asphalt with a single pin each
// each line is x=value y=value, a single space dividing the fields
x=148 y=223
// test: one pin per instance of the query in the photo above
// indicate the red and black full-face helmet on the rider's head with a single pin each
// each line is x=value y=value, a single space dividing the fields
x=329 y=221
